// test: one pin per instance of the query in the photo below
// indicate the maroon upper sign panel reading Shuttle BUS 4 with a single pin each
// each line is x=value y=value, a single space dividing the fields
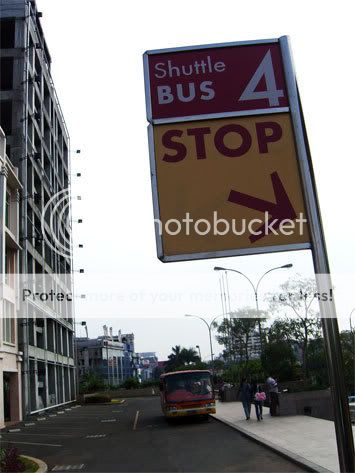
x=216 y=80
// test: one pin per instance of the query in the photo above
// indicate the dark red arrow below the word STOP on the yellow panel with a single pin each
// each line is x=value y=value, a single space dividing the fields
x=282 y=209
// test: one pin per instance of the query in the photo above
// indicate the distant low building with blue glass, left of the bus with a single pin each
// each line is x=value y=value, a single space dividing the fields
x=112 y=357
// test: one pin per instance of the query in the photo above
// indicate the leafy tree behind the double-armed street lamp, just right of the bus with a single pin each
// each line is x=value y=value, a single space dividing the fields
x=235 y=333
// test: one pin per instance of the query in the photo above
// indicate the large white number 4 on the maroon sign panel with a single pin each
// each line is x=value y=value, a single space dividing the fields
x=271 y=93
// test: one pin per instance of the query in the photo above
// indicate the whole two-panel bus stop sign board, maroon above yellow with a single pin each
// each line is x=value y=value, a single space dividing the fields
x=224 y=159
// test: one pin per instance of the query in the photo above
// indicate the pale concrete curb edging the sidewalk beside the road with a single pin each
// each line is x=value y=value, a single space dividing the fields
x=297 y=459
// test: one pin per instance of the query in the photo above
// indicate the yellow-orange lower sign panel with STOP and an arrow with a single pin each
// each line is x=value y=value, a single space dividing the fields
x=228 y=185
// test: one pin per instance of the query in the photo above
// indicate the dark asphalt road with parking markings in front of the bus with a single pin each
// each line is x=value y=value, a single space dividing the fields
x=135 y=437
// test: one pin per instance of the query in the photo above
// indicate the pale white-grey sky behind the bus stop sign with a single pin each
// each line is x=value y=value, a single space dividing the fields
x=97 y=68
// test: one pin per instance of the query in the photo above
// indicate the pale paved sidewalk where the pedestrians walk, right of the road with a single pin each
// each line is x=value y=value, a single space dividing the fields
x=305 y=439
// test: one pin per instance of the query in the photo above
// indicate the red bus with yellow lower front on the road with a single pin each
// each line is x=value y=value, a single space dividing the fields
x=187 y=393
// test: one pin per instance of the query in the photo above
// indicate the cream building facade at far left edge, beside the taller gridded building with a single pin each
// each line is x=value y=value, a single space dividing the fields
x=10 y=356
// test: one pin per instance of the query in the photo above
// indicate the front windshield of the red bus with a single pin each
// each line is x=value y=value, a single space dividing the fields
x=188 y=386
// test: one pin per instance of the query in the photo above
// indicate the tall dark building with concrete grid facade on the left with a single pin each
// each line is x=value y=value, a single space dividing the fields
x=38 y=145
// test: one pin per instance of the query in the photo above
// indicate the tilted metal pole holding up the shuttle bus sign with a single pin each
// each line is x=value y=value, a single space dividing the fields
x=342 y=420
